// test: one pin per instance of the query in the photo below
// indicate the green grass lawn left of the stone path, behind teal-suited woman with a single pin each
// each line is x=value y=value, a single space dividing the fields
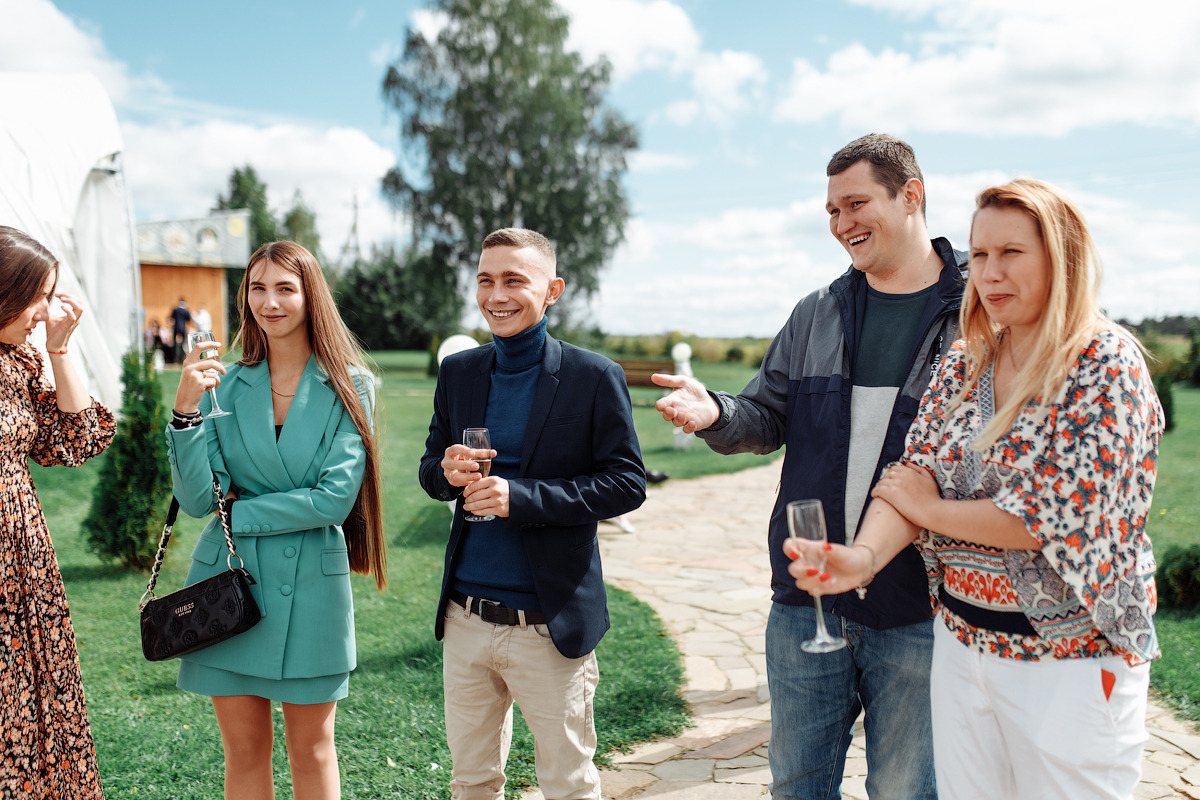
x=159 y=743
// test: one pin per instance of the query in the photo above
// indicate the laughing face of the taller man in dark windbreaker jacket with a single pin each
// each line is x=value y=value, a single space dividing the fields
x=874 y=227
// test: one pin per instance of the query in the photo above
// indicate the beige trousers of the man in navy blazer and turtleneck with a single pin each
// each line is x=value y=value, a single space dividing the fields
x=487 y=667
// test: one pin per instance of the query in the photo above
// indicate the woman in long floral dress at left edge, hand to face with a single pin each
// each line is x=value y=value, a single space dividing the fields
x=46 y=747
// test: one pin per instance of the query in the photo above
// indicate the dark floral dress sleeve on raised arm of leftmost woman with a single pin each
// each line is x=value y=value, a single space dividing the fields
x=65 y=440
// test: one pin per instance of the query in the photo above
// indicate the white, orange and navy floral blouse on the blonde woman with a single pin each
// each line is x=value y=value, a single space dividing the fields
x=1081 y=477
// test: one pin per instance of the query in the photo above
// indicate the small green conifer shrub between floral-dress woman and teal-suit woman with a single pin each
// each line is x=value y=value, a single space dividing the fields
x=130 y=501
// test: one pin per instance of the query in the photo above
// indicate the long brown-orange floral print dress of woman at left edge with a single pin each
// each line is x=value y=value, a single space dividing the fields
x=46 y=747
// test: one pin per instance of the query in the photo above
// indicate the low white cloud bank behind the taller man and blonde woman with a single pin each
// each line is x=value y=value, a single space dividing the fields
x=741 y=272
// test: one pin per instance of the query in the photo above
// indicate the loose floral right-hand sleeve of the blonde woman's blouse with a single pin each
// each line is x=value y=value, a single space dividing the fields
x=1088 y=497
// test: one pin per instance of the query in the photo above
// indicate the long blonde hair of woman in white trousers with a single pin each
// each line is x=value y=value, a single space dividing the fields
x=1072 y=316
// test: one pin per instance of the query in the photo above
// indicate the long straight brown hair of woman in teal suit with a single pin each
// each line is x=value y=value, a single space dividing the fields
x=337 y=352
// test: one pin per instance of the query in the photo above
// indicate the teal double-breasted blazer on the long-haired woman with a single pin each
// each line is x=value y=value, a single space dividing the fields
x=293 y=497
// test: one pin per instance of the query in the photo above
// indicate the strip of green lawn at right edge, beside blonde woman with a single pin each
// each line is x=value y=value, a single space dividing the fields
x=1175 y=520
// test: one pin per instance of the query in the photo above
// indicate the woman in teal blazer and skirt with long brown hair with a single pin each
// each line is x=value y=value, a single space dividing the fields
x=298 y=462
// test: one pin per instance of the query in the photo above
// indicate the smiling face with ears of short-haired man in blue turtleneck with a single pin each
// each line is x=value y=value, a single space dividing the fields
x=514 y=287
